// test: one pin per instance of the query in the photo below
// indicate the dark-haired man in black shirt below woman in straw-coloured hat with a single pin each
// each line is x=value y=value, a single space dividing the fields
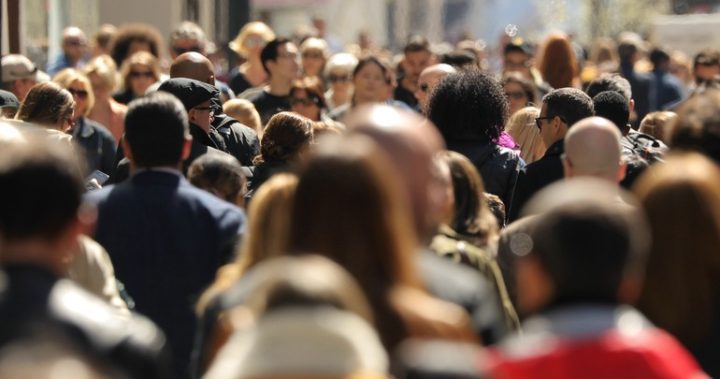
x=281 y=62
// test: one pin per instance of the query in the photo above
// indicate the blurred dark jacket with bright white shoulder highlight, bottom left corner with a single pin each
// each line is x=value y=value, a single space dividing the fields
x=37 y=305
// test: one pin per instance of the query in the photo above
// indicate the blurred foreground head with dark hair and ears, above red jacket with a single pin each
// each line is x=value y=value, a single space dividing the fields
x=589 y=247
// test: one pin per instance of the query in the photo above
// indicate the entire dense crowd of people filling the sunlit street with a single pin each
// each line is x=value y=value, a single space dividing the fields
x=541 y=209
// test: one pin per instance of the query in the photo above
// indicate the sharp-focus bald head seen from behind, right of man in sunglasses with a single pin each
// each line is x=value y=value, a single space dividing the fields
x=592 y=148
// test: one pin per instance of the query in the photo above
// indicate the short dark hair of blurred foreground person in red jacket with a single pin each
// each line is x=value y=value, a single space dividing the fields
x=587 y=249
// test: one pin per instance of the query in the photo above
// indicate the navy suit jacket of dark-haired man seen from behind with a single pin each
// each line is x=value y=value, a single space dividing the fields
x=166 y=240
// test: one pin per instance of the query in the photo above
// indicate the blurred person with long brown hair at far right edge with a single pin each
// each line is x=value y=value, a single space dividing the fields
x=686 y=191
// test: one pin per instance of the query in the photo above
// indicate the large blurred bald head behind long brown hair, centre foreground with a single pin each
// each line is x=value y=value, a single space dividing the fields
x=411 y=142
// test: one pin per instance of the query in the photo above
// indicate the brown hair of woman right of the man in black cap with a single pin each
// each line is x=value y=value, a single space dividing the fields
x=286 y=133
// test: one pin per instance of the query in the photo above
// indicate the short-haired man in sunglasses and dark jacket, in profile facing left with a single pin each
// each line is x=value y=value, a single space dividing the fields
x=561 y=109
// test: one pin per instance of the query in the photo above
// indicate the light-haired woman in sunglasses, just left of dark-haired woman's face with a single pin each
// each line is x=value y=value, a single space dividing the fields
x=338 y=72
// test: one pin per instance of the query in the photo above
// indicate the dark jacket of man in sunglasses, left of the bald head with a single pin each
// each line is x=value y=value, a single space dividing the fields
x=536 y=176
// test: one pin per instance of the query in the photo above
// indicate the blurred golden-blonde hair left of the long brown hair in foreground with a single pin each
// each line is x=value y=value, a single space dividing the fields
x=266 y=235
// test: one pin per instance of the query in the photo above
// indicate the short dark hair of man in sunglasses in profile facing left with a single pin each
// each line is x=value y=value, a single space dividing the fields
x=570 y=104
